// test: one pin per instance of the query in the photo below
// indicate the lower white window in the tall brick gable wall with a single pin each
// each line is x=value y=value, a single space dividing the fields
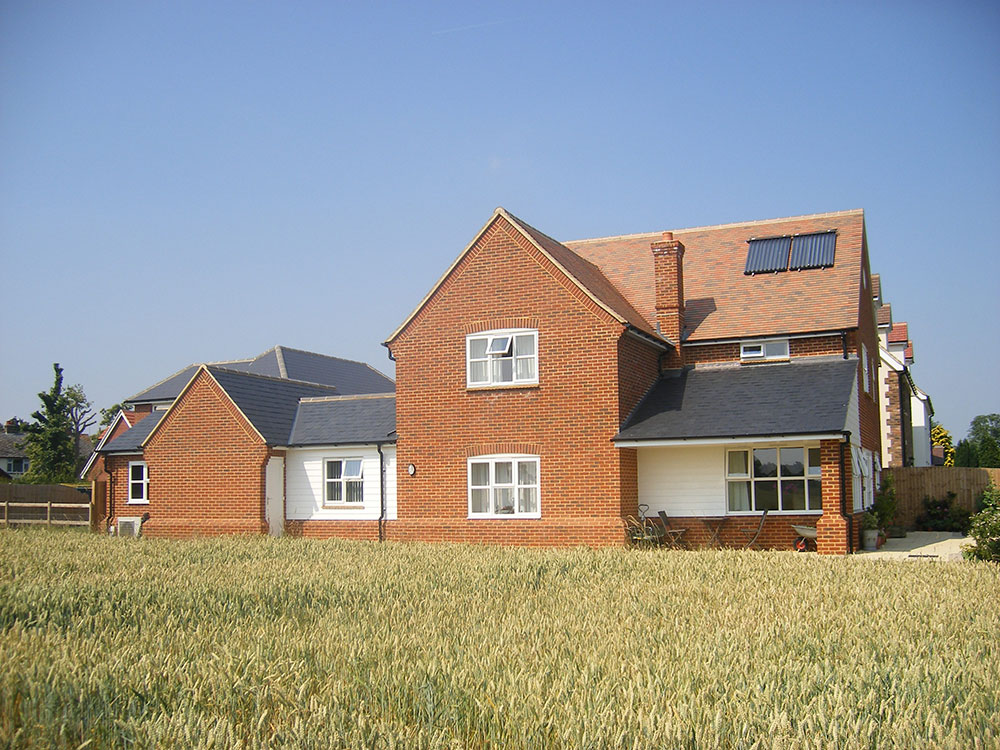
x=503 y=486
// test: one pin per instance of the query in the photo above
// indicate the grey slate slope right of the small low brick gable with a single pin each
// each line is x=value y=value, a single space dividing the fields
x=269 y=403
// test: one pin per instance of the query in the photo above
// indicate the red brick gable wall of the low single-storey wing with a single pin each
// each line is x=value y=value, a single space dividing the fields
x=206 y=469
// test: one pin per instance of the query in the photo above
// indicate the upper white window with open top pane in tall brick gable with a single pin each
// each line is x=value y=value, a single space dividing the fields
x=501 y=358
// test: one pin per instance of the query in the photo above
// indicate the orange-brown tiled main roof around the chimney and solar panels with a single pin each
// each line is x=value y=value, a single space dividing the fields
x=723 y=302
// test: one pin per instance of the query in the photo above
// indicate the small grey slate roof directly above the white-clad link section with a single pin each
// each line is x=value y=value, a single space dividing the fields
x=343 y=420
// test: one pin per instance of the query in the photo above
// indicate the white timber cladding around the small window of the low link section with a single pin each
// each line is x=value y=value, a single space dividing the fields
x=305 y=484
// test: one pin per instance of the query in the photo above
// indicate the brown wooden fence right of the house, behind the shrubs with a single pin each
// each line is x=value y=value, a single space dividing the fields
x=913 y=484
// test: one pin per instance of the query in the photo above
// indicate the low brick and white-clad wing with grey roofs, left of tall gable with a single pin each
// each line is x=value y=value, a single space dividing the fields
x=221 y=449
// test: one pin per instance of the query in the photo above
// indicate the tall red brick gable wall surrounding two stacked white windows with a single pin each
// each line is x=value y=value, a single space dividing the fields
x=568 y=419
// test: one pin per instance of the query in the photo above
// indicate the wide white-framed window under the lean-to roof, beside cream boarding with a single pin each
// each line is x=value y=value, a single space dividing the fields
x=774 y=479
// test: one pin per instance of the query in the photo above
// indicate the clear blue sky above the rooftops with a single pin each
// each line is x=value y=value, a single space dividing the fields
x=191 y=181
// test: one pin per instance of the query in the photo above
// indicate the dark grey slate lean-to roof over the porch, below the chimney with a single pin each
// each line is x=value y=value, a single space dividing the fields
x=796 y=398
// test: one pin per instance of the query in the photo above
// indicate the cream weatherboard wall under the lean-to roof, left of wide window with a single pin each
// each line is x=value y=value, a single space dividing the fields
x=682 y=480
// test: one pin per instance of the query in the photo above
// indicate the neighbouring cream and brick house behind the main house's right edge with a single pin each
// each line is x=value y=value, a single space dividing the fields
x=905 y=409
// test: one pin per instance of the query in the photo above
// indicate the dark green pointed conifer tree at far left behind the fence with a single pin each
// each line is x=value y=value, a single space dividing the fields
x=49 y=442
